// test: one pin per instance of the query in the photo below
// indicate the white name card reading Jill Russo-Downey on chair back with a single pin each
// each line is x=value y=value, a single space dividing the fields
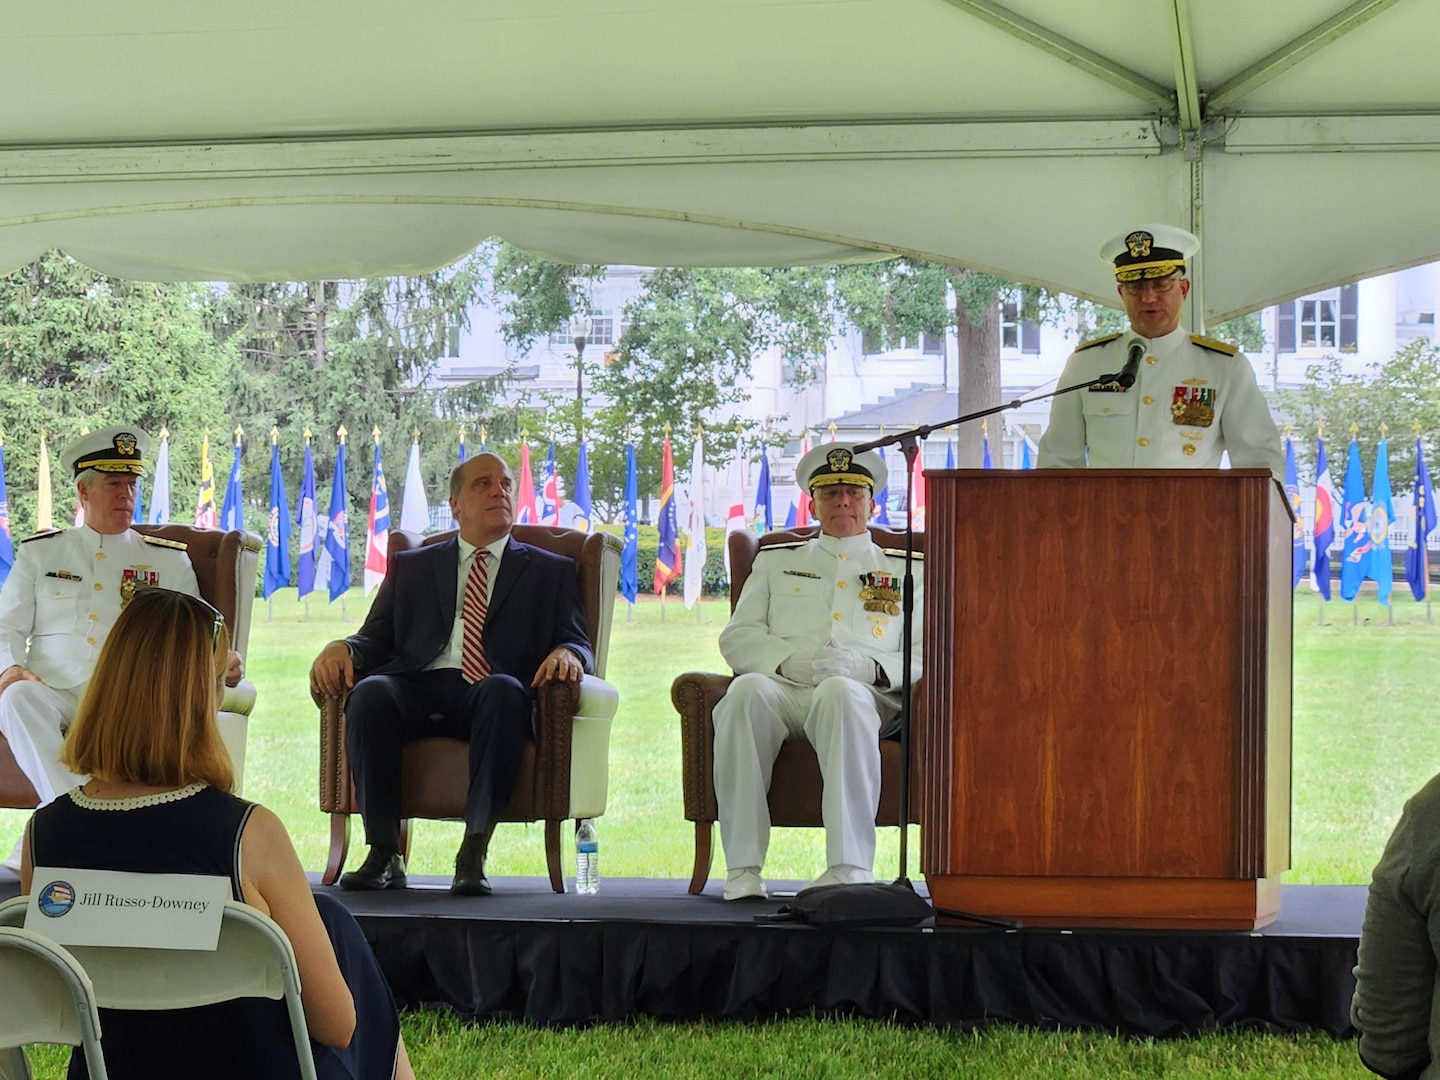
x=120 y=909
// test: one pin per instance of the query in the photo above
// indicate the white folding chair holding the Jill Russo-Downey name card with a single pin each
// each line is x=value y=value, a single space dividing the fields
x=254 y=960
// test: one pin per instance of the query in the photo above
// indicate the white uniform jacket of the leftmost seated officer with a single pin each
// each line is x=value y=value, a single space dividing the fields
x=67 y=590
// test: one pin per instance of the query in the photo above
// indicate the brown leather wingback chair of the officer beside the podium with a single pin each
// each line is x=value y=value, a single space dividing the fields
x=796 y=786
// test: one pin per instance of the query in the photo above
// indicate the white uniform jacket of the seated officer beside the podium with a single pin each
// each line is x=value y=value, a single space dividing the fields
x=804 y=597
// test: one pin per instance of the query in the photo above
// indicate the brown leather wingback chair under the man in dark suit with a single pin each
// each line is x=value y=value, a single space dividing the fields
x=565 y=770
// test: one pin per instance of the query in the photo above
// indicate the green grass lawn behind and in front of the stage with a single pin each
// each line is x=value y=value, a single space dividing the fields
x=1364 y=741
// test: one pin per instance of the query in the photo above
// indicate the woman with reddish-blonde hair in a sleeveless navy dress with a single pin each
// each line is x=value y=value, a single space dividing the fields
x=159 y=801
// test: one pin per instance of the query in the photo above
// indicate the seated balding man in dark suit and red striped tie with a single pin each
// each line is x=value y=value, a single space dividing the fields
x=460 y=636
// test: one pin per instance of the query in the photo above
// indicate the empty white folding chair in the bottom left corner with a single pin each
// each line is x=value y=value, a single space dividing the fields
x=45 y=997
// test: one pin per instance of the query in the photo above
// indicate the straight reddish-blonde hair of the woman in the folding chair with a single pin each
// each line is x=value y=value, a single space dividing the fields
x=166 y=711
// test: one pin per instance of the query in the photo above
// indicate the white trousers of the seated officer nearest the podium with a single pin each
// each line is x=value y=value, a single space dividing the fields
x=842 y=719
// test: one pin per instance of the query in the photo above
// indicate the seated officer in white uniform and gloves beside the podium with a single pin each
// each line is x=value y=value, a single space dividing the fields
x=816 y=647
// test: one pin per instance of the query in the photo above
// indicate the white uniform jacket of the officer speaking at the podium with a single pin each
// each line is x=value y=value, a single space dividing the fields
x=1193 y=401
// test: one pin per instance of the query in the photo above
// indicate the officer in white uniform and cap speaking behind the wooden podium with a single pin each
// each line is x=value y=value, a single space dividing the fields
x=1193 y=398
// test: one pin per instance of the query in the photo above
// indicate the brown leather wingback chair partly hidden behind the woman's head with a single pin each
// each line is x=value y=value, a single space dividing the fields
x=225 y=568
